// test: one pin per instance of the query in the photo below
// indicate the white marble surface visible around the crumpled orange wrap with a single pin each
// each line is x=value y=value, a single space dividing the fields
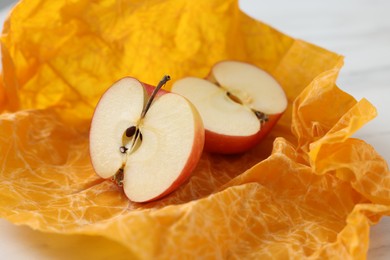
x=357 y=29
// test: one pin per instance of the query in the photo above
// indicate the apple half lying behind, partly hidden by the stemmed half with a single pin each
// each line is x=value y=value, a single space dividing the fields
x=238 y=102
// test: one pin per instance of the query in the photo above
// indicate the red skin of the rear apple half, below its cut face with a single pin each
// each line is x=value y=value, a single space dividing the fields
x=226 y=144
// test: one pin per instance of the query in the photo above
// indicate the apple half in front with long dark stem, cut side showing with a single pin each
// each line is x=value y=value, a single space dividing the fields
x=150 y=145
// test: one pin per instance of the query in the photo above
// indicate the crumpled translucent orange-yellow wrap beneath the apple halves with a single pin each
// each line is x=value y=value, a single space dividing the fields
x=308 y=190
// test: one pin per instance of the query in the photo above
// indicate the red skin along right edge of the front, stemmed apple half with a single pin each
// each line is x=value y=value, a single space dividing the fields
x=193 y=159
